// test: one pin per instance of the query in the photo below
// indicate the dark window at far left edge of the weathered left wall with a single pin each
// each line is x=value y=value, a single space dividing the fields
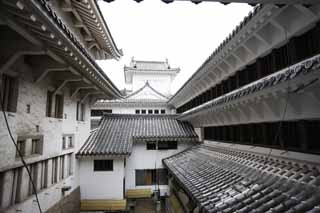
x=9 y=91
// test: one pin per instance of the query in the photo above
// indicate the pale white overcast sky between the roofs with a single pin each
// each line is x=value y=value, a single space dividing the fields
x=183 y=32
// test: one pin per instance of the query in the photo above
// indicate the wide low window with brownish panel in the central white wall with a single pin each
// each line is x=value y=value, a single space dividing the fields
x=149 y=177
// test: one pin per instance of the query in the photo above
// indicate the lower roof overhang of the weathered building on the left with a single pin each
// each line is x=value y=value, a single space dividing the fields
x=40 y=25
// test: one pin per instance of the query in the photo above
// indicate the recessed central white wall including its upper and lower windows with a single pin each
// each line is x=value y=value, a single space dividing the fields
x=148 y=156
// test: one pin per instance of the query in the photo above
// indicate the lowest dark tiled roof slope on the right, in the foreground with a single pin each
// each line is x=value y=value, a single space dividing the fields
x=229 y=180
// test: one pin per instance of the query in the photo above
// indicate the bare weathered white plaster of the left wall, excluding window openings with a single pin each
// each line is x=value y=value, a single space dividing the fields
x=52 y=129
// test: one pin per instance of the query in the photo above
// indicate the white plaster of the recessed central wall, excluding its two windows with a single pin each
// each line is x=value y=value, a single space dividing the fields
x=141 y=158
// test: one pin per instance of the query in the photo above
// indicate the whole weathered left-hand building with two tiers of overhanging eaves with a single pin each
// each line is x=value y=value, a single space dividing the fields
x=48 y=81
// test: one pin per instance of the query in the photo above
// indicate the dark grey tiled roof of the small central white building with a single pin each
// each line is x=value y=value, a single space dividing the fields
x=116 y=132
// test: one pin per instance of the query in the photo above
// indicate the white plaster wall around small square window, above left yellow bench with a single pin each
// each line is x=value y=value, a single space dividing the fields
x=101 y=184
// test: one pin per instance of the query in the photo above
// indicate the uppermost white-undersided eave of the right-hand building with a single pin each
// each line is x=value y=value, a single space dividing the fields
x=262 y=30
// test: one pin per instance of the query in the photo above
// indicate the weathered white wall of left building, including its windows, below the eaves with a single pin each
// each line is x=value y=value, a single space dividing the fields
x=38 y=119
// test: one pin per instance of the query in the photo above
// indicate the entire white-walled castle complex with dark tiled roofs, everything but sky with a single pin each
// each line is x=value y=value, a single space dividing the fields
x=240 y=135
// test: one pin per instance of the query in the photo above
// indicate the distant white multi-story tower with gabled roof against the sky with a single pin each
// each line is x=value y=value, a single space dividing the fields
x=150 y=83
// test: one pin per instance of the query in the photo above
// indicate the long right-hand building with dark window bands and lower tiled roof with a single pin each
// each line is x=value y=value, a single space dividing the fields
x=256 y=103
